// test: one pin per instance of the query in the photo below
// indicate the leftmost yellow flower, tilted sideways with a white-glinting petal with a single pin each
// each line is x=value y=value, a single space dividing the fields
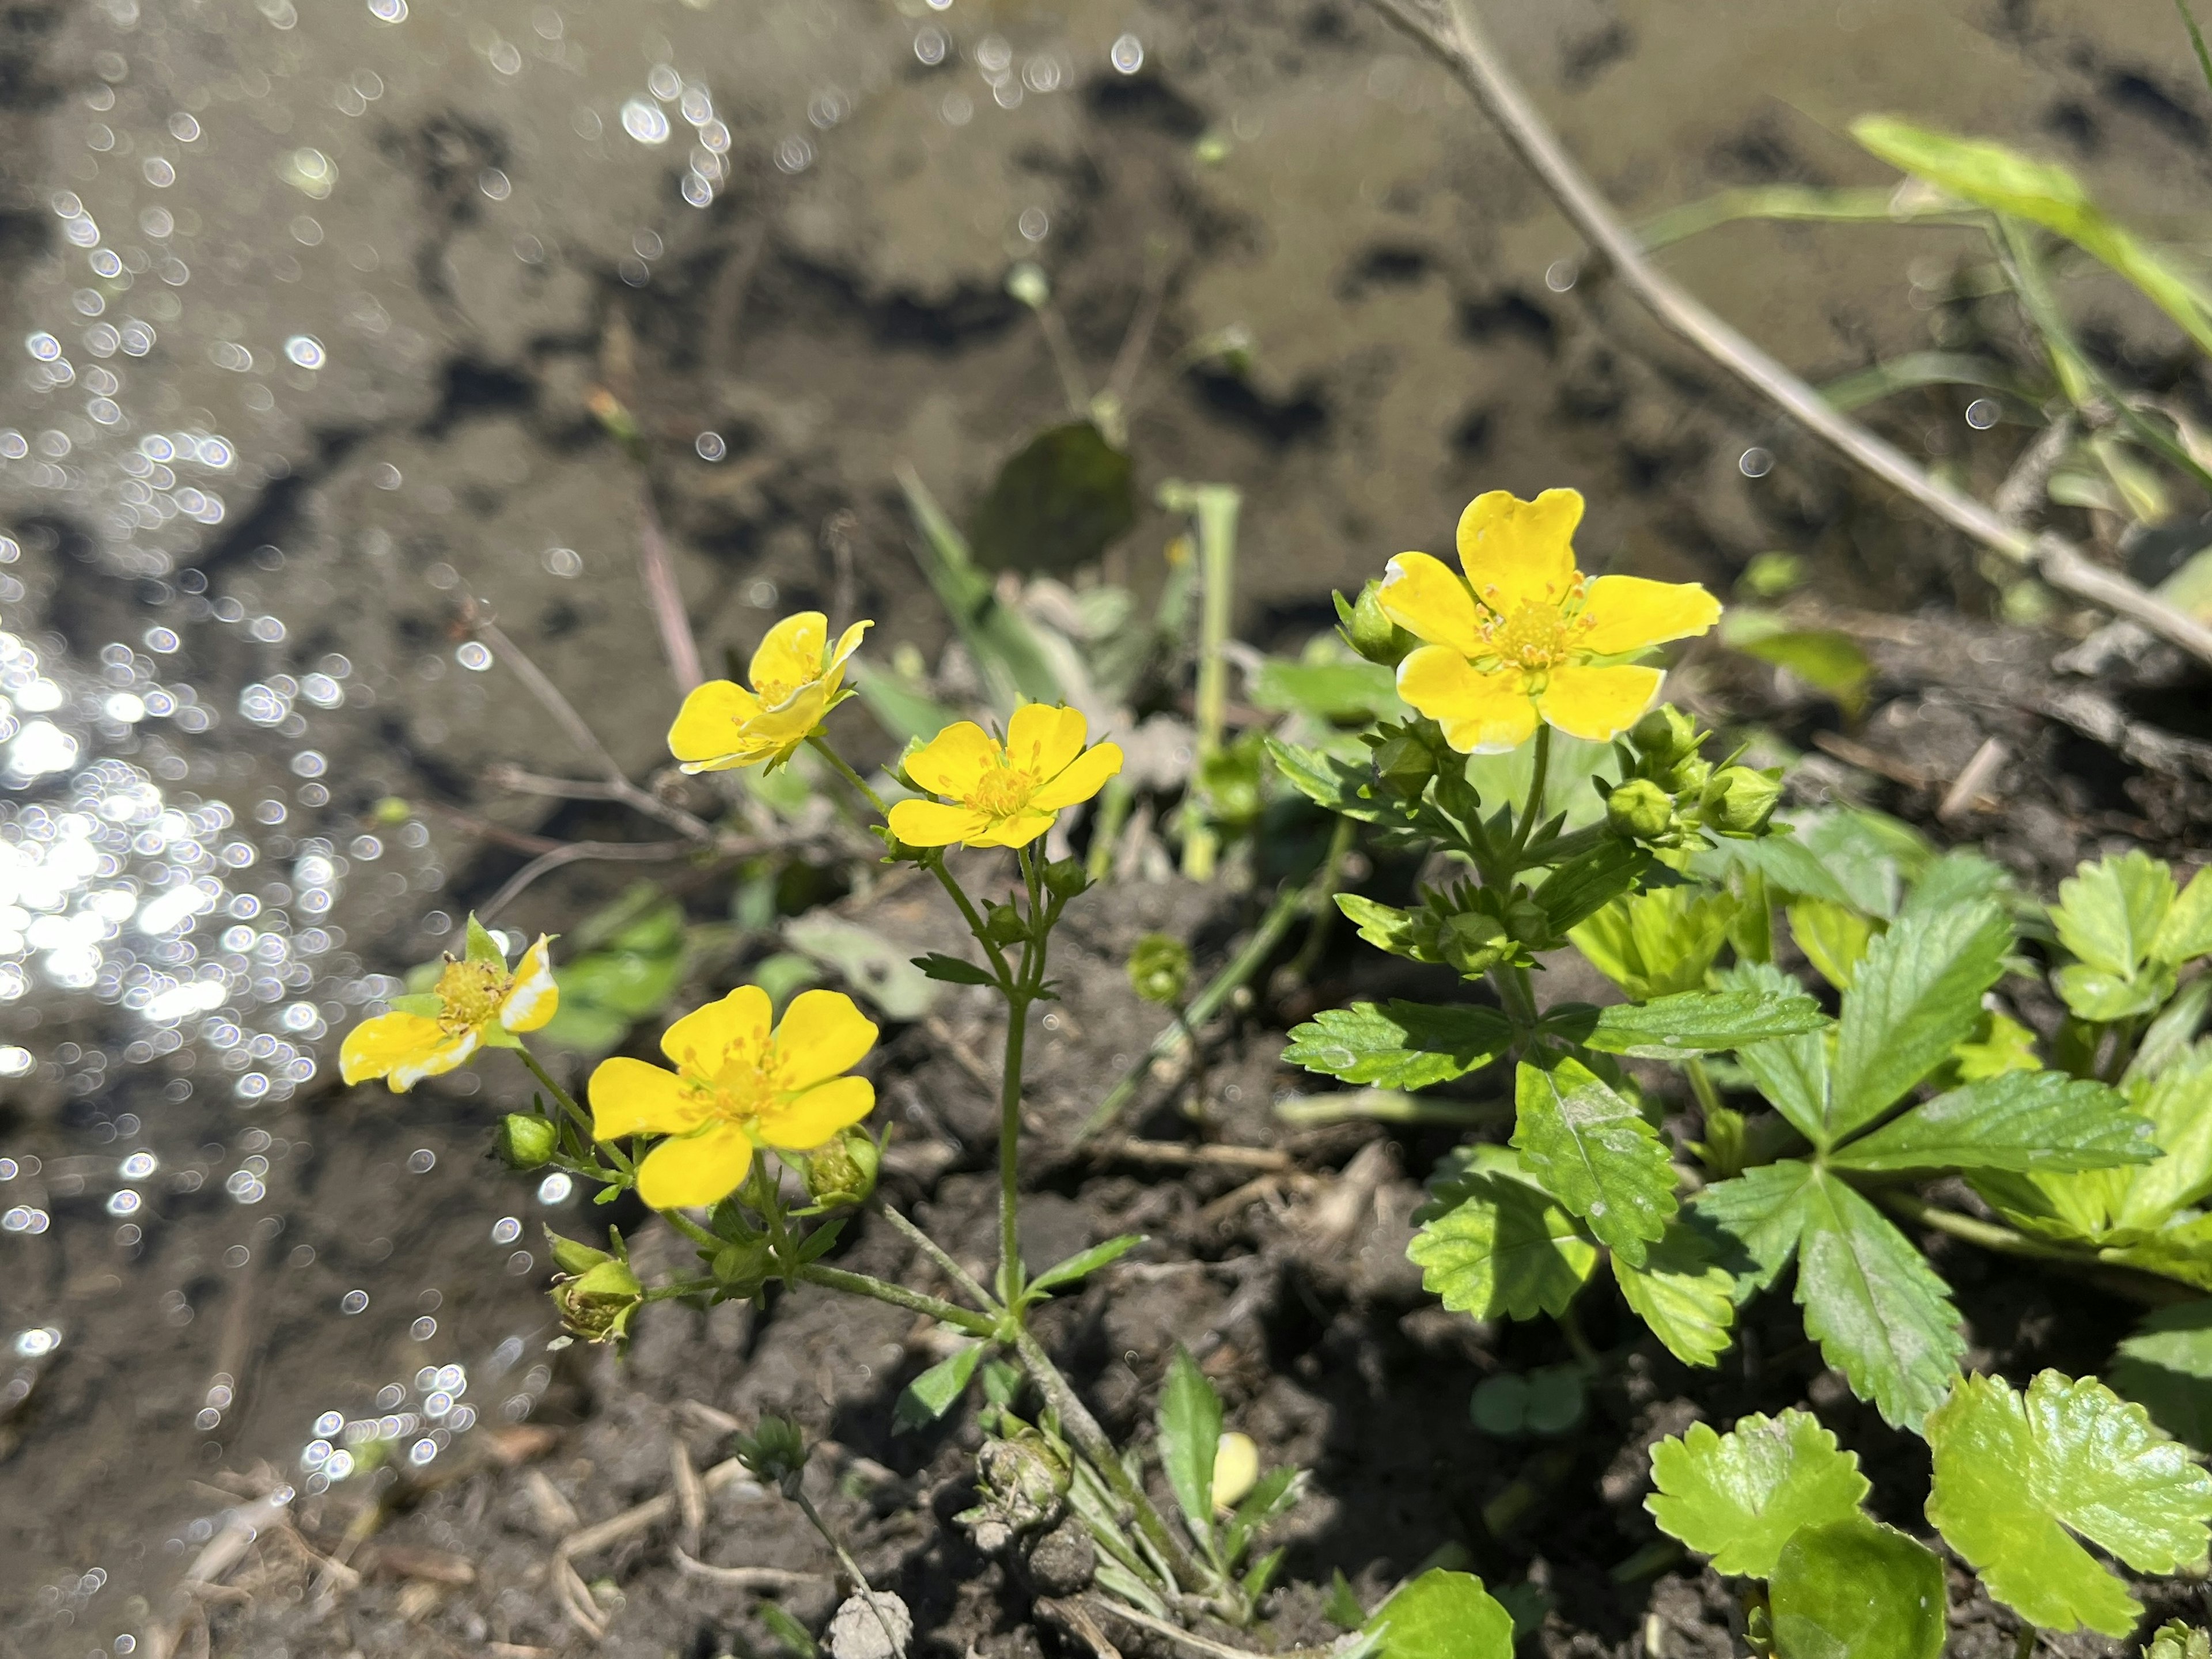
x=474 y=1003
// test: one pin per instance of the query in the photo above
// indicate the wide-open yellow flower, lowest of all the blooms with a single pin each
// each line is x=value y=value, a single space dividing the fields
x=738 y=1087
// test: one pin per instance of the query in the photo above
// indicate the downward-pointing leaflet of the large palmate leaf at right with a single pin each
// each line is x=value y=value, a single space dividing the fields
x=1877 y=1308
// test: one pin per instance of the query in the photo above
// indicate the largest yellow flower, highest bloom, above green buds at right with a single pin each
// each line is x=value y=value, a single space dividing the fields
x=1525 y=634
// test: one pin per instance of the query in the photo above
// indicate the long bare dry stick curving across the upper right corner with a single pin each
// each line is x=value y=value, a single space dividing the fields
x=1463 y=48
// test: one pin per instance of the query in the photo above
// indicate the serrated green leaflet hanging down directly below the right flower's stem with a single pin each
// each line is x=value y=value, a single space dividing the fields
x=1596 y=1154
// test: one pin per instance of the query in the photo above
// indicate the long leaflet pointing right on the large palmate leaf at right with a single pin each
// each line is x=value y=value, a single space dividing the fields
x=2021 y=1120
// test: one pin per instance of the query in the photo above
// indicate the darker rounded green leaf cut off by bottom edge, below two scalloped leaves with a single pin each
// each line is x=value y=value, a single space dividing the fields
x=1857 y=1589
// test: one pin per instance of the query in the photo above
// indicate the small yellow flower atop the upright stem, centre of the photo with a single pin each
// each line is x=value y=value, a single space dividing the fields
x=1003 y=795
